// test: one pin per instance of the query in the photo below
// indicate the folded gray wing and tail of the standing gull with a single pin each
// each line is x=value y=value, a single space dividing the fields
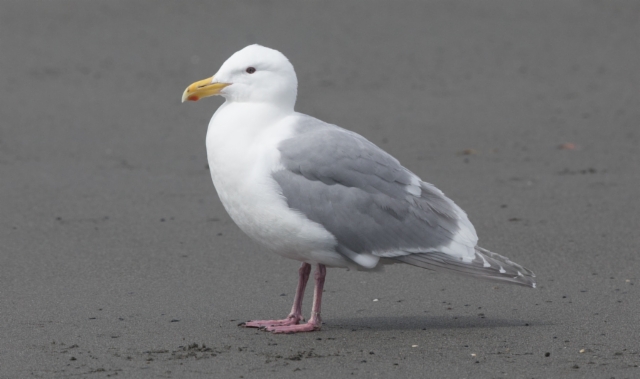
x=376 y=207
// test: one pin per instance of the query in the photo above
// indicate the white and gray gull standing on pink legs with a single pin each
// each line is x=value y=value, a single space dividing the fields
x=322 y=195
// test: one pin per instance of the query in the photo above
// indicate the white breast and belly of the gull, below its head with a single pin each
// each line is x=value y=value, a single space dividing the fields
x=242 y=142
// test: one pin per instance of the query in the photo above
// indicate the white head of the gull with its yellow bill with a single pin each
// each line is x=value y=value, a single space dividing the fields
x=253 y=74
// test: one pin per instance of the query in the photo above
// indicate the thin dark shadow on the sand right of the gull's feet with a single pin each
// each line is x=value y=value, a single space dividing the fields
x=426 y=323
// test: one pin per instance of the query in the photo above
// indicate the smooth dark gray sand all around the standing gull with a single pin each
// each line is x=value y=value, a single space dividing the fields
x=116 y=257
